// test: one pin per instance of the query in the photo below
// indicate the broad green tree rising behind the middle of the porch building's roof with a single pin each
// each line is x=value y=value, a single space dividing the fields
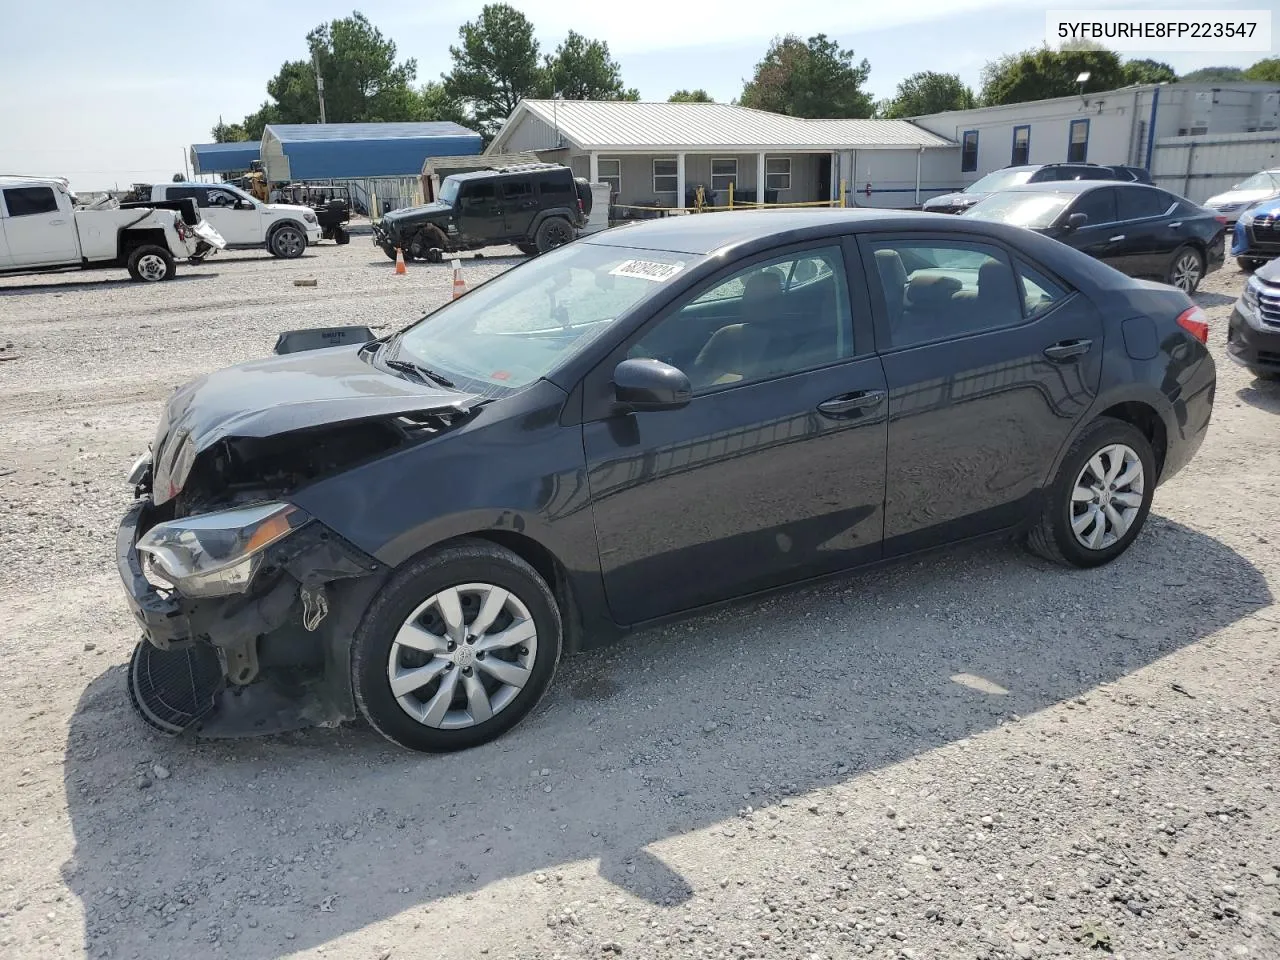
x=811 y=79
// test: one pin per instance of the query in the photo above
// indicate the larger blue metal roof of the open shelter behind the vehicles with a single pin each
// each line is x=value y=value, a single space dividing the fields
x=360 y=150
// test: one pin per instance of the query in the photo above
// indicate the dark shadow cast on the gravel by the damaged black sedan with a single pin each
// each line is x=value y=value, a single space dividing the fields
x=255 y=849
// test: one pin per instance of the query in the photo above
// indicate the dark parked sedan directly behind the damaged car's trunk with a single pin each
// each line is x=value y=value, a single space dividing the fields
x=1140 y=231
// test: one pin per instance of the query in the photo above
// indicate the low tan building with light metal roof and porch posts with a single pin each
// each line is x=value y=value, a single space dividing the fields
x=659 y=154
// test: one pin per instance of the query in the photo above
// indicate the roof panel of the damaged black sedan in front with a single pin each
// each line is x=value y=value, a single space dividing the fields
x=711 y=234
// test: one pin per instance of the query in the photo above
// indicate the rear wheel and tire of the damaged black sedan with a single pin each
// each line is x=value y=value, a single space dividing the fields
x=1100 y=499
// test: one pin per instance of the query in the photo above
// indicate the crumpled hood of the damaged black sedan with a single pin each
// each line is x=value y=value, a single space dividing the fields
x=277 y=396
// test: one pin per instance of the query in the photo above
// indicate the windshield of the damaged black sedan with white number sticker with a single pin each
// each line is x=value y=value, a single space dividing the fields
x=523 y=324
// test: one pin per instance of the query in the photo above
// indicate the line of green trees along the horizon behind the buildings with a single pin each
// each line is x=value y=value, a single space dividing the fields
x=499 y=62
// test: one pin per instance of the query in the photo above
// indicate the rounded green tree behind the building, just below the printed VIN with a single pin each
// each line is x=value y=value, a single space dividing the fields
x=1044 y=74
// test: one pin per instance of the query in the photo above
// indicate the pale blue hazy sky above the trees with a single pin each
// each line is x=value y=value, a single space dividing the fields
x=111 y=93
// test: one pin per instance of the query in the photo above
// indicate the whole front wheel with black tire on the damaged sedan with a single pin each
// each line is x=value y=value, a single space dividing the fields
x=456 y=650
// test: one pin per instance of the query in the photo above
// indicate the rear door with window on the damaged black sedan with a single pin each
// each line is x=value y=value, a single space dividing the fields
x=990 y=362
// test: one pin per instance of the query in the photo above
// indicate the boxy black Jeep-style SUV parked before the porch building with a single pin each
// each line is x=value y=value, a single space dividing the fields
x=534 y=207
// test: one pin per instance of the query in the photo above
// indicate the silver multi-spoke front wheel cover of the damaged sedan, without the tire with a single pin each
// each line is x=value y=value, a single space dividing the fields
x=463 y=656
